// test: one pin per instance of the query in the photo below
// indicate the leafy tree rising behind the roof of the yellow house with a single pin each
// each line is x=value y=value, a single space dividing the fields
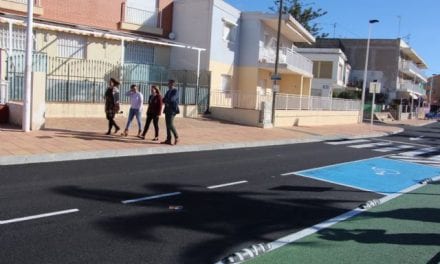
x=304 y=14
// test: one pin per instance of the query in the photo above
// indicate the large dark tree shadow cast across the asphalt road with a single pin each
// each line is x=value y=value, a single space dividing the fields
x=212 y=223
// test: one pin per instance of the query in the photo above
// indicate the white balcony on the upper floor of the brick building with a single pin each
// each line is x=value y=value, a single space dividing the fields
x=135 y=19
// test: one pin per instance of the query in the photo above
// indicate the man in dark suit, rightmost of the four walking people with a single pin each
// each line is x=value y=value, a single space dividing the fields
x=171 y=102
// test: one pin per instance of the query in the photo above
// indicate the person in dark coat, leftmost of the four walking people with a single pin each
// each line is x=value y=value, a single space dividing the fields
x=111 y=97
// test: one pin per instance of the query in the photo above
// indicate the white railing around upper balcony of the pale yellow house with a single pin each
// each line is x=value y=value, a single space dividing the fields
x=287 y=56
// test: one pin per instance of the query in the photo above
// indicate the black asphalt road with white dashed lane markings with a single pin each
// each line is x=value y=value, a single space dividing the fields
x=215 y=220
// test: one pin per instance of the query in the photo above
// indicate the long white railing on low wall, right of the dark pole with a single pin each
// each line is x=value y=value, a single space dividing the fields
x=297 y=102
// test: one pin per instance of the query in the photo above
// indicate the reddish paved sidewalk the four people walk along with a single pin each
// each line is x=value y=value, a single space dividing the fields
x=81 y=138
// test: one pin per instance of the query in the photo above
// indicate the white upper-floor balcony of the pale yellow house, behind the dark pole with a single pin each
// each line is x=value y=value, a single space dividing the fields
x=289 y=59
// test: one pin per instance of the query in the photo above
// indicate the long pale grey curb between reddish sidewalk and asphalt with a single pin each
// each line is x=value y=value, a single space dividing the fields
x=132 y=152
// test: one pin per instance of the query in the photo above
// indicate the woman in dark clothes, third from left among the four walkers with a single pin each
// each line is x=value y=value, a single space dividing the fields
x=153 y=112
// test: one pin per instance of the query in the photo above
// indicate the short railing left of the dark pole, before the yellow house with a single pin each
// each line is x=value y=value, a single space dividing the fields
x=237 y=99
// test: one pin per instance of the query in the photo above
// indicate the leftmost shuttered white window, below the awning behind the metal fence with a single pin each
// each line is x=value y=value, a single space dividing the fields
x=71 y=46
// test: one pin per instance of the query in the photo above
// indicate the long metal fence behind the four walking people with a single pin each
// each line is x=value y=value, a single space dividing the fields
x=85 y=81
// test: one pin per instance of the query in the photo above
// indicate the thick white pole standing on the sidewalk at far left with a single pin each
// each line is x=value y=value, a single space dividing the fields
x=28 y=70
